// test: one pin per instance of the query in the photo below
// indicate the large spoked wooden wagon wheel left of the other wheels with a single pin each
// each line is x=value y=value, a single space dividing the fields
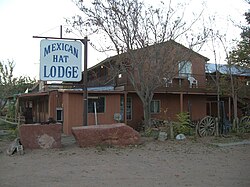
x=206 y=126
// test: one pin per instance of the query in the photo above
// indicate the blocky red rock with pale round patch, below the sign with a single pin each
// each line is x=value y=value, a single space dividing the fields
x=41 y=136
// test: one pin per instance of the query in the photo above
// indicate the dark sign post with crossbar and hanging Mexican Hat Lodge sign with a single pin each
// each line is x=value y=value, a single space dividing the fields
x=61 y=60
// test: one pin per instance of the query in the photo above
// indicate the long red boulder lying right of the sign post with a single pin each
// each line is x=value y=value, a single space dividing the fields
x=115 y=134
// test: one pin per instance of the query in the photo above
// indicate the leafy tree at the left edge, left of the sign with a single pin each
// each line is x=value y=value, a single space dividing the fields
x=10 y=85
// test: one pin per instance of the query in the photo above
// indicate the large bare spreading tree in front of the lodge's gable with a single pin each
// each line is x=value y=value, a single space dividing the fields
x=138 y=33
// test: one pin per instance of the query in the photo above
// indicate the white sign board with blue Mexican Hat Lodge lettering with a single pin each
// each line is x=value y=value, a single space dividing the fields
x=60 y=60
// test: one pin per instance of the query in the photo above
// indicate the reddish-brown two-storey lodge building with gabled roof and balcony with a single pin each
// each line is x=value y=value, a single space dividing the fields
x=114 y=99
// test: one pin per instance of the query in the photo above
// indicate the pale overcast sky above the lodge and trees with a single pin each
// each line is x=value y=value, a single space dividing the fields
x=22 y=19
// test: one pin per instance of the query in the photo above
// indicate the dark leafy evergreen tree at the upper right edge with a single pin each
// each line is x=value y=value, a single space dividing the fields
x=241 y=53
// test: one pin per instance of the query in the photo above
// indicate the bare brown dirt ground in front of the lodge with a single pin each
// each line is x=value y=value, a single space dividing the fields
x=192 y=162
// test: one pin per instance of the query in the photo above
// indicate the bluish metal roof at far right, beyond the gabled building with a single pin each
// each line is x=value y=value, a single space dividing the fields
x=225 y=69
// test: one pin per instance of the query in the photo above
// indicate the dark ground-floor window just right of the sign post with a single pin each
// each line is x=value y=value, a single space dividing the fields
x=99 y=102
